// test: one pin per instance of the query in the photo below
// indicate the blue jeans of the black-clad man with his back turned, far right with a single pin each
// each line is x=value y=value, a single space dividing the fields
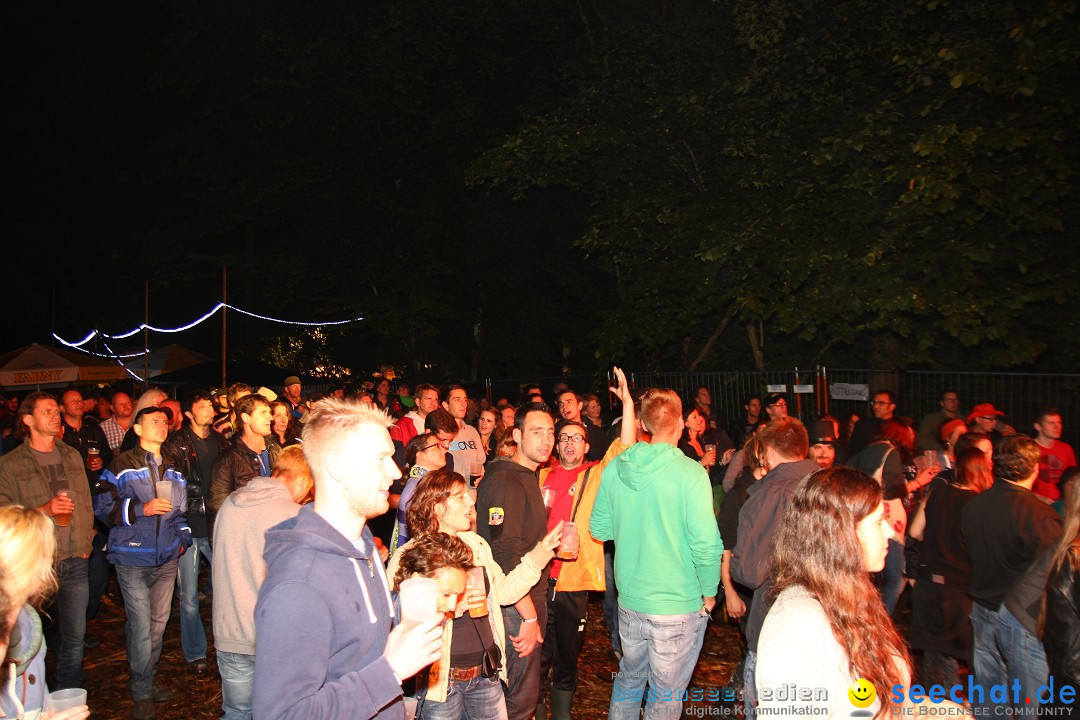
x=1005 y=651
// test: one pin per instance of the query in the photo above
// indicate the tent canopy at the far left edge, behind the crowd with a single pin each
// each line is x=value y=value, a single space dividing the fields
x=39 y=365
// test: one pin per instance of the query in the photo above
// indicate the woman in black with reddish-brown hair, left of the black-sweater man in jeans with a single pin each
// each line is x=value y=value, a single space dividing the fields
x=941 y=607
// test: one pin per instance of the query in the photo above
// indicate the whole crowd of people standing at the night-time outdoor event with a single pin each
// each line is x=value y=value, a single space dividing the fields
x=316 y=512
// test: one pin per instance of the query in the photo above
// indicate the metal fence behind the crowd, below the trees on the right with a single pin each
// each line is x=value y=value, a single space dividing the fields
x=812 y=392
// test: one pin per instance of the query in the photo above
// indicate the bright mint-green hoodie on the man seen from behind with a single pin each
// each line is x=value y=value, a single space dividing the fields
x=657 y=506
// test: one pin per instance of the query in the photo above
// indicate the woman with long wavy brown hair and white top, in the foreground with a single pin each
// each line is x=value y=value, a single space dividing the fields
x=828 y=628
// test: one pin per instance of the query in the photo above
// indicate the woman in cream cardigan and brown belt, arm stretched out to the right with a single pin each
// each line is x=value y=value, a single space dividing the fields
x=463 y=685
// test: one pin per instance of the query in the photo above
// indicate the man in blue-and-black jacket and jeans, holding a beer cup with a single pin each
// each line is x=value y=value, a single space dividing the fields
x=147 y=536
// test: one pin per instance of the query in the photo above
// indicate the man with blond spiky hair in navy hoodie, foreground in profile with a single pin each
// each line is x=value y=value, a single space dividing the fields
x=328 y=646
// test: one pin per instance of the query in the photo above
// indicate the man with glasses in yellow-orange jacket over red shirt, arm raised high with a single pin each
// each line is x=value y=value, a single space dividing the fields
x=570 y=492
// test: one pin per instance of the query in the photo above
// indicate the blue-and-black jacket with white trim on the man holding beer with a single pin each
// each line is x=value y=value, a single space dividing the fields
x=138 y=540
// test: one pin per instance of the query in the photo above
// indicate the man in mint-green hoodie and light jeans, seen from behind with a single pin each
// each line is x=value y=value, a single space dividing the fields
x=656 y=505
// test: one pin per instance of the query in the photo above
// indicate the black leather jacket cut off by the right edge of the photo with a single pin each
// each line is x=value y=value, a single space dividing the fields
x=1061 y=635
